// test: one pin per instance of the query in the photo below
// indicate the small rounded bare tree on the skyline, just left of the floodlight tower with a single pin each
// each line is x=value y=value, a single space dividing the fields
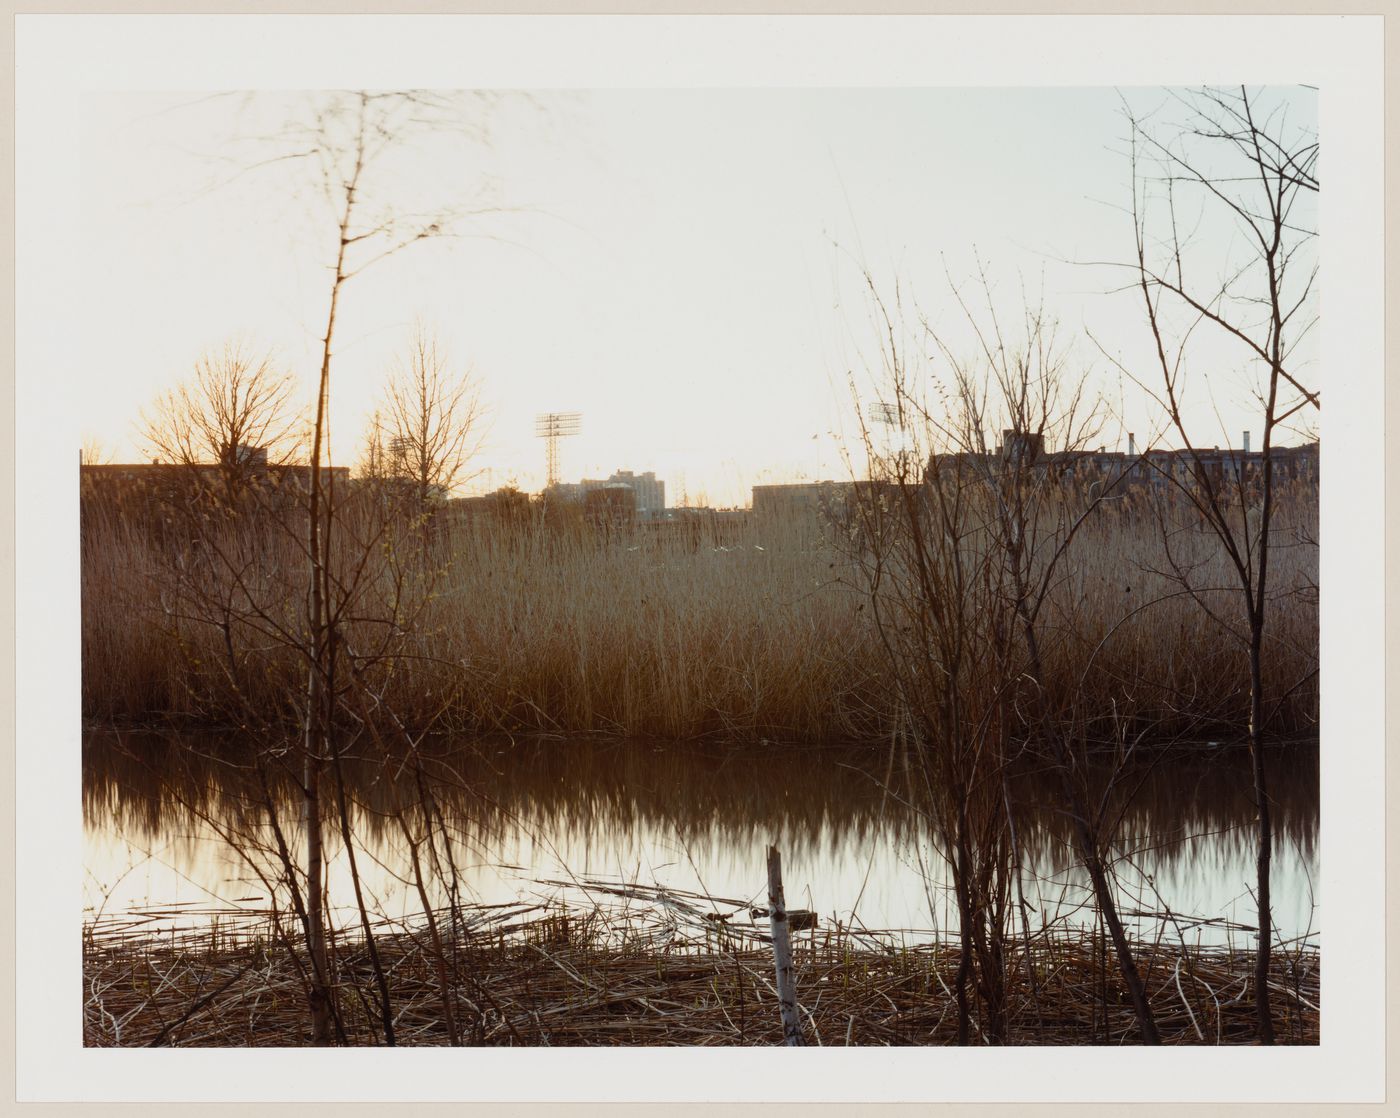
x=429 y=426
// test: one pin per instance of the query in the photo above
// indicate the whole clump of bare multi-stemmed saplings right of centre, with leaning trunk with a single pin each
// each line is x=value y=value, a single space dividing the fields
x=961 y=546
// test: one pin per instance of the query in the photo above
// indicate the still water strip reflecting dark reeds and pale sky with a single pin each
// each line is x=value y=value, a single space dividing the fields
x=167 y=816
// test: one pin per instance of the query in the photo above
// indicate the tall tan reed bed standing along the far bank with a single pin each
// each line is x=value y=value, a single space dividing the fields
x=747 y=630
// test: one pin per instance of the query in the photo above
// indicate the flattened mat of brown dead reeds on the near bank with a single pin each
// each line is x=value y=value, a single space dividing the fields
x=535 y=976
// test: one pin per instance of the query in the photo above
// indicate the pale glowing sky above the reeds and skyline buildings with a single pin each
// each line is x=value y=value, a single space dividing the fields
x=682 y=267
